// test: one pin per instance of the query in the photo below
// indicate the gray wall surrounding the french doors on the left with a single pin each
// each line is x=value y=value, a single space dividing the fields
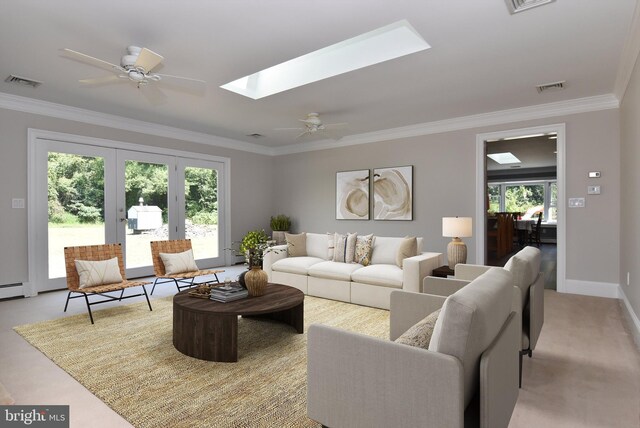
x=251 y=202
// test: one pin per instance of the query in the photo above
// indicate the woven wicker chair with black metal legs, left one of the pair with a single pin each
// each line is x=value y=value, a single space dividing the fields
x=95 y=253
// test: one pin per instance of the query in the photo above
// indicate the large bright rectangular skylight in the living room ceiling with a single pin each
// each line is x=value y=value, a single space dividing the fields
x=380 y=45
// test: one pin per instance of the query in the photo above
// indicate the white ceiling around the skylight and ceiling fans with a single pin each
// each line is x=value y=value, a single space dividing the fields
x=482 y=59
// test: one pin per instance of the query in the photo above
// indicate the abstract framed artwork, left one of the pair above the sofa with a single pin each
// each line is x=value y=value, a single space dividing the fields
x=352 y=195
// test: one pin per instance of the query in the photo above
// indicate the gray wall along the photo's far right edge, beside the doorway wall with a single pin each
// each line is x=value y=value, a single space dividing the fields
x=630 y=190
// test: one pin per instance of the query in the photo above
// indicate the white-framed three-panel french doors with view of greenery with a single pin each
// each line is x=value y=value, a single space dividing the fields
x=87 y=195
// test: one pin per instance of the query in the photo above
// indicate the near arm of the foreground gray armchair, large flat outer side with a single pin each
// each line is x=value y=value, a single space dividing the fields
x=355 y=380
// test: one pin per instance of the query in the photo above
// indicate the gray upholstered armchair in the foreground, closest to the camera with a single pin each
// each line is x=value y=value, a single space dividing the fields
x=467 y=377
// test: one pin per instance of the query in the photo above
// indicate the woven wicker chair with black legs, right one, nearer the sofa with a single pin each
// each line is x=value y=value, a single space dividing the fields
x=175 y=246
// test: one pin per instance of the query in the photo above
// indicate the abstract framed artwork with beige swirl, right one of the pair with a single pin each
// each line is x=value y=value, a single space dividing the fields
x=393 y=193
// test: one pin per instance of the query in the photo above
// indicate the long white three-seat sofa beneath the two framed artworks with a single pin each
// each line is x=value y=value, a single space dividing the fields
x=316 y=275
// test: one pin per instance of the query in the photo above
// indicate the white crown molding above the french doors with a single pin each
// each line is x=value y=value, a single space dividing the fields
x=60 y=111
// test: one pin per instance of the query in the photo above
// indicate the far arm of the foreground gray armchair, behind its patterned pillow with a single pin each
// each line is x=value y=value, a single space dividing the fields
x=408 y=308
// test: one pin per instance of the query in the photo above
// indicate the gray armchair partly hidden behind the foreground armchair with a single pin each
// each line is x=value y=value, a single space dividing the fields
x=525 y=267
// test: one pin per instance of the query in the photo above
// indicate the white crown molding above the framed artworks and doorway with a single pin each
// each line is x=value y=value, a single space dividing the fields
x=541 y=111
